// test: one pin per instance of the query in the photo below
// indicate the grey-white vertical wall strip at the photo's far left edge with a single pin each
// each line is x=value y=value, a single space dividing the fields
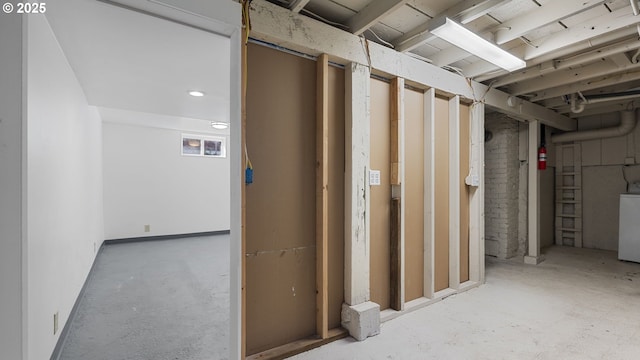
x=12 y=185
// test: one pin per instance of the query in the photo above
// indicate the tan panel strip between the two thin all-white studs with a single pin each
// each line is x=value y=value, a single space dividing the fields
x=441 y=194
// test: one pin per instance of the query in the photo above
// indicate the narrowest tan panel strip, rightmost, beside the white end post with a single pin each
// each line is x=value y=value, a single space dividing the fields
x=465 y=141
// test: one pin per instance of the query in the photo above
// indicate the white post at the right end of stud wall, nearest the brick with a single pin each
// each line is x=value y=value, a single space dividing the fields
x=476 y=196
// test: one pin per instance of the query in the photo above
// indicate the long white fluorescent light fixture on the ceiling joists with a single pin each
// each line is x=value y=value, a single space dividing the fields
x=458 y=35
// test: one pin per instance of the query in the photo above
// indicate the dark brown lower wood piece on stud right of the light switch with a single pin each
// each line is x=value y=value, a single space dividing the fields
x=396 y=260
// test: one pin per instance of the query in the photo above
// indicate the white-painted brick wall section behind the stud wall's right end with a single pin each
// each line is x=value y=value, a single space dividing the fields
x=502 y=186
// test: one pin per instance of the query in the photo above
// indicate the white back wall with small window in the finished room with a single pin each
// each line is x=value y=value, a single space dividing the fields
x=148 y=182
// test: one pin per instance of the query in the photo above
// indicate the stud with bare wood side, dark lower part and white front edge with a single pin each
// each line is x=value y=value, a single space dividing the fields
x=397 y=193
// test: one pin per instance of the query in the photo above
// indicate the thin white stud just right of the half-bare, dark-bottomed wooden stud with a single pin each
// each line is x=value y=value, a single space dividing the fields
x=429 y=192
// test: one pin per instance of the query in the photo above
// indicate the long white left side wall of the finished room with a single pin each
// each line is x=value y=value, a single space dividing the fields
x=64 y=187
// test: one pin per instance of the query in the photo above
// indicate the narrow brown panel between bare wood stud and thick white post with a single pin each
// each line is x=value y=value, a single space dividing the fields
x=336 y=195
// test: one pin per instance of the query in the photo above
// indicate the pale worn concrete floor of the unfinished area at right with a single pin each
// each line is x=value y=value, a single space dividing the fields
x=578 y=304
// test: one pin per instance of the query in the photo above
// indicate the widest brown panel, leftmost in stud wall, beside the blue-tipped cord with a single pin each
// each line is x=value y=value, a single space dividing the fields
x=280 y=204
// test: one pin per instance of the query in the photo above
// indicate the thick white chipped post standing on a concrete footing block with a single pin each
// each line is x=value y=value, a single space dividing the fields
x=360 y=316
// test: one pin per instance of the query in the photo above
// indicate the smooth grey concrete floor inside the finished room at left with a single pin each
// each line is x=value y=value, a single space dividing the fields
x=148 y=300
